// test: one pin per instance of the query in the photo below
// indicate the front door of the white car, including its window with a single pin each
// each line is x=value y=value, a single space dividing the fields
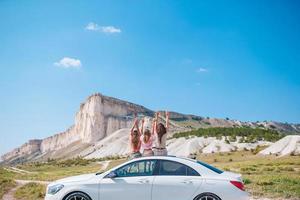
x=132 y=182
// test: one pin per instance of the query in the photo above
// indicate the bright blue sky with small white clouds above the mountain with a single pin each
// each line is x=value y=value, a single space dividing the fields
x=236 y=59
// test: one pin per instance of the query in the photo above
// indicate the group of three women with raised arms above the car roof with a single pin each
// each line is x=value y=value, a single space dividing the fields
x=149 y=142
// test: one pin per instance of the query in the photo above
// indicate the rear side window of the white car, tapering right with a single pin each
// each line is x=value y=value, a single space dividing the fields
x=171 y=168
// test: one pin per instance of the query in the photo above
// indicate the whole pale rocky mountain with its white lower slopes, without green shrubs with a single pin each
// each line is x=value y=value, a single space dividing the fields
x=102 y=125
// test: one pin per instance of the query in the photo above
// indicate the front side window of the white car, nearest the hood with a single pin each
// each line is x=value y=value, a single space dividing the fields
x=138 y=168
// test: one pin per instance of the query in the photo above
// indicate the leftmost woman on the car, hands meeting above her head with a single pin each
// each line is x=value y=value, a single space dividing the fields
x=134 y=138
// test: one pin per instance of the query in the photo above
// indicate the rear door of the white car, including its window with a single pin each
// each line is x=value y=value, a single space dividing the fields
x=175 y=181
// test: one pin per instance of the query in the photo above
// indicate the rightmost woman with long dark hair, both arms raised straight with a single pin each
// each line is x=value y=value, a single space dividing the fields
x=160 y=141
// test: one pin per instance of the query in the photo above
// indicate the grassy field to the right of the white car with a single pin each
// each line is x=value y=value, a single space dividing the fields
x=264 y=176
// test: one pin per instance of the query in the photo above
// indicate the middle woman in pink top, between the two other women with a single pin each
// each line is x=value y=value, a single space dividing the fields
x=146 y=141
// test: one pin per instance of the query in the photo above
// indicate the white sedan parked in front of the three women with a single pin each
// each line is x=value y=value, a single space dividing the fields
x=152 y=178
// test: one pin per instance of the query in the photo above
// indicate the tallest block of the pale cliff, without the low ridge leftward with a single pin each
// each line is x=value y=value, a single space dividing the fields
x=100 y=116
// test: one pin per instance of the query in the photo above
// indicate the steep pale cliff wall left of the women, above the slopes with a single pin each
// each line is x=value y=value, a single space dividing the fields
x=97 y=117
